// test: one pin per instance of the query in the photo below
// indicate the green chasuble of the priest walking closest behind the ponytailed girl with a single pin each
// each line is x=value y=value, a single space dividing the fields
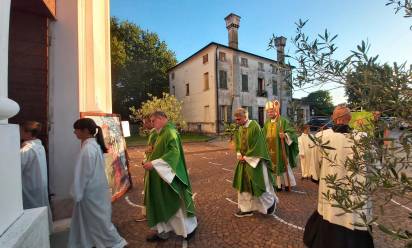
x=163 y=200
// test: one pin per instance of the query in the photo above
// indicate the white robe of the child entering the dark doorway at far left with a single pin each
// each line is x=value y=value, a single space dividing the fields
x=34 y=176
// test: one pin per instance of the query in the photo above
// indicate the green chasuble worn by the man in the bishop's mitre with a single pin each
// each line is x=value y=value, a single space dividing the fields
x=271 y=132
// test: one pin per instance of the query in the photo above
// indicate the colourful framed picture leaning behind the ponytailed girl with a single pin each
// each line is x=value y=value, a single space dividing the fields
x=117 y=162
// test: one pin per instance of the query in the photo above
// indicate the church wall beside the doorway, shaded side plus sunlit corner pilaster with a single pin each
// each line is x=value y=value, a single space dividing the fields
x=79 y=71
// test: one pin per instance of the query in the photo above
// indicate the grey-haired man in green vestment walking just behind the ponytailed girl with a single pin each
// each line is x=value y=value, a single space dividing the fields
x=168 y=193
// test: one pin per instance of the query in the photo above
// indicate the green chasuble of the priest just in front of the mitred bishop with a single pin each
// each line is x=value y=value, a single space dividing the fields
x=250 y=142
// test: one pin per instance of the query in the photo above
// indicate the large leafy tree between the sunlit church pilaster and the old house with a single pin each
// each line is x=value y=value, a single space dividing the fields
x=140 y=61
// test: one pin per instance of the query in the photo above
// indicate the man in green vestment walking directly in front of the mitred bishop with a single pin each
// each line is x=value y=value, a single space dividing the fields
x=253 y=178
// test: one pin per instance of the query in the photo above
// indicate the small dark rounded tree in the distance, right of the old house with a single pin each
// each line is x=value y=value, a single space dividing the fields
x=320 y=102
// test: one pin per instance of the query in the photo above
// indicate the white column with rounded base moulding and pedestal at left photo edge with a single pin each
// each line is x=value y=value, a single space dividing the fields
x=11 y=206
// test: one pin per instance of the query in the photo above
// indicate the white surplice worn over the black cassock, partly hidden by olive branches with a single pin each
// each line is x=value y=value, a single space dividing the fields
x=342 y=143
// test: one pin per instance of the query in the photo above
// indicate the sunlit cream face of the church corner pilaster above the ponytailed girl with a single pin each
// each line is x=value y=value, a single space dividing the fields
x=94 y=56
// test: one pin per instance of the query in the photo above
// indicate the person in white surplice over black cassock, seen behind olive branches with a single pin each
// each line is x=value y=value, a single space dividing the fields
x=329 y=226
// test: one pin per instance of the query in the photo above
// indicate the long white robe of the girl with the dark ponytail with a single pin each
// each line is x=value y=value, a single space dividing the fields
x=91 y=223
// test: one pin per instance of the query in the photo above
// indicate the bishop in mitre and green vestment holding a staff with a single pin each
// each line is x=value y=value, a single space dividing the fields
x=276 y=129
